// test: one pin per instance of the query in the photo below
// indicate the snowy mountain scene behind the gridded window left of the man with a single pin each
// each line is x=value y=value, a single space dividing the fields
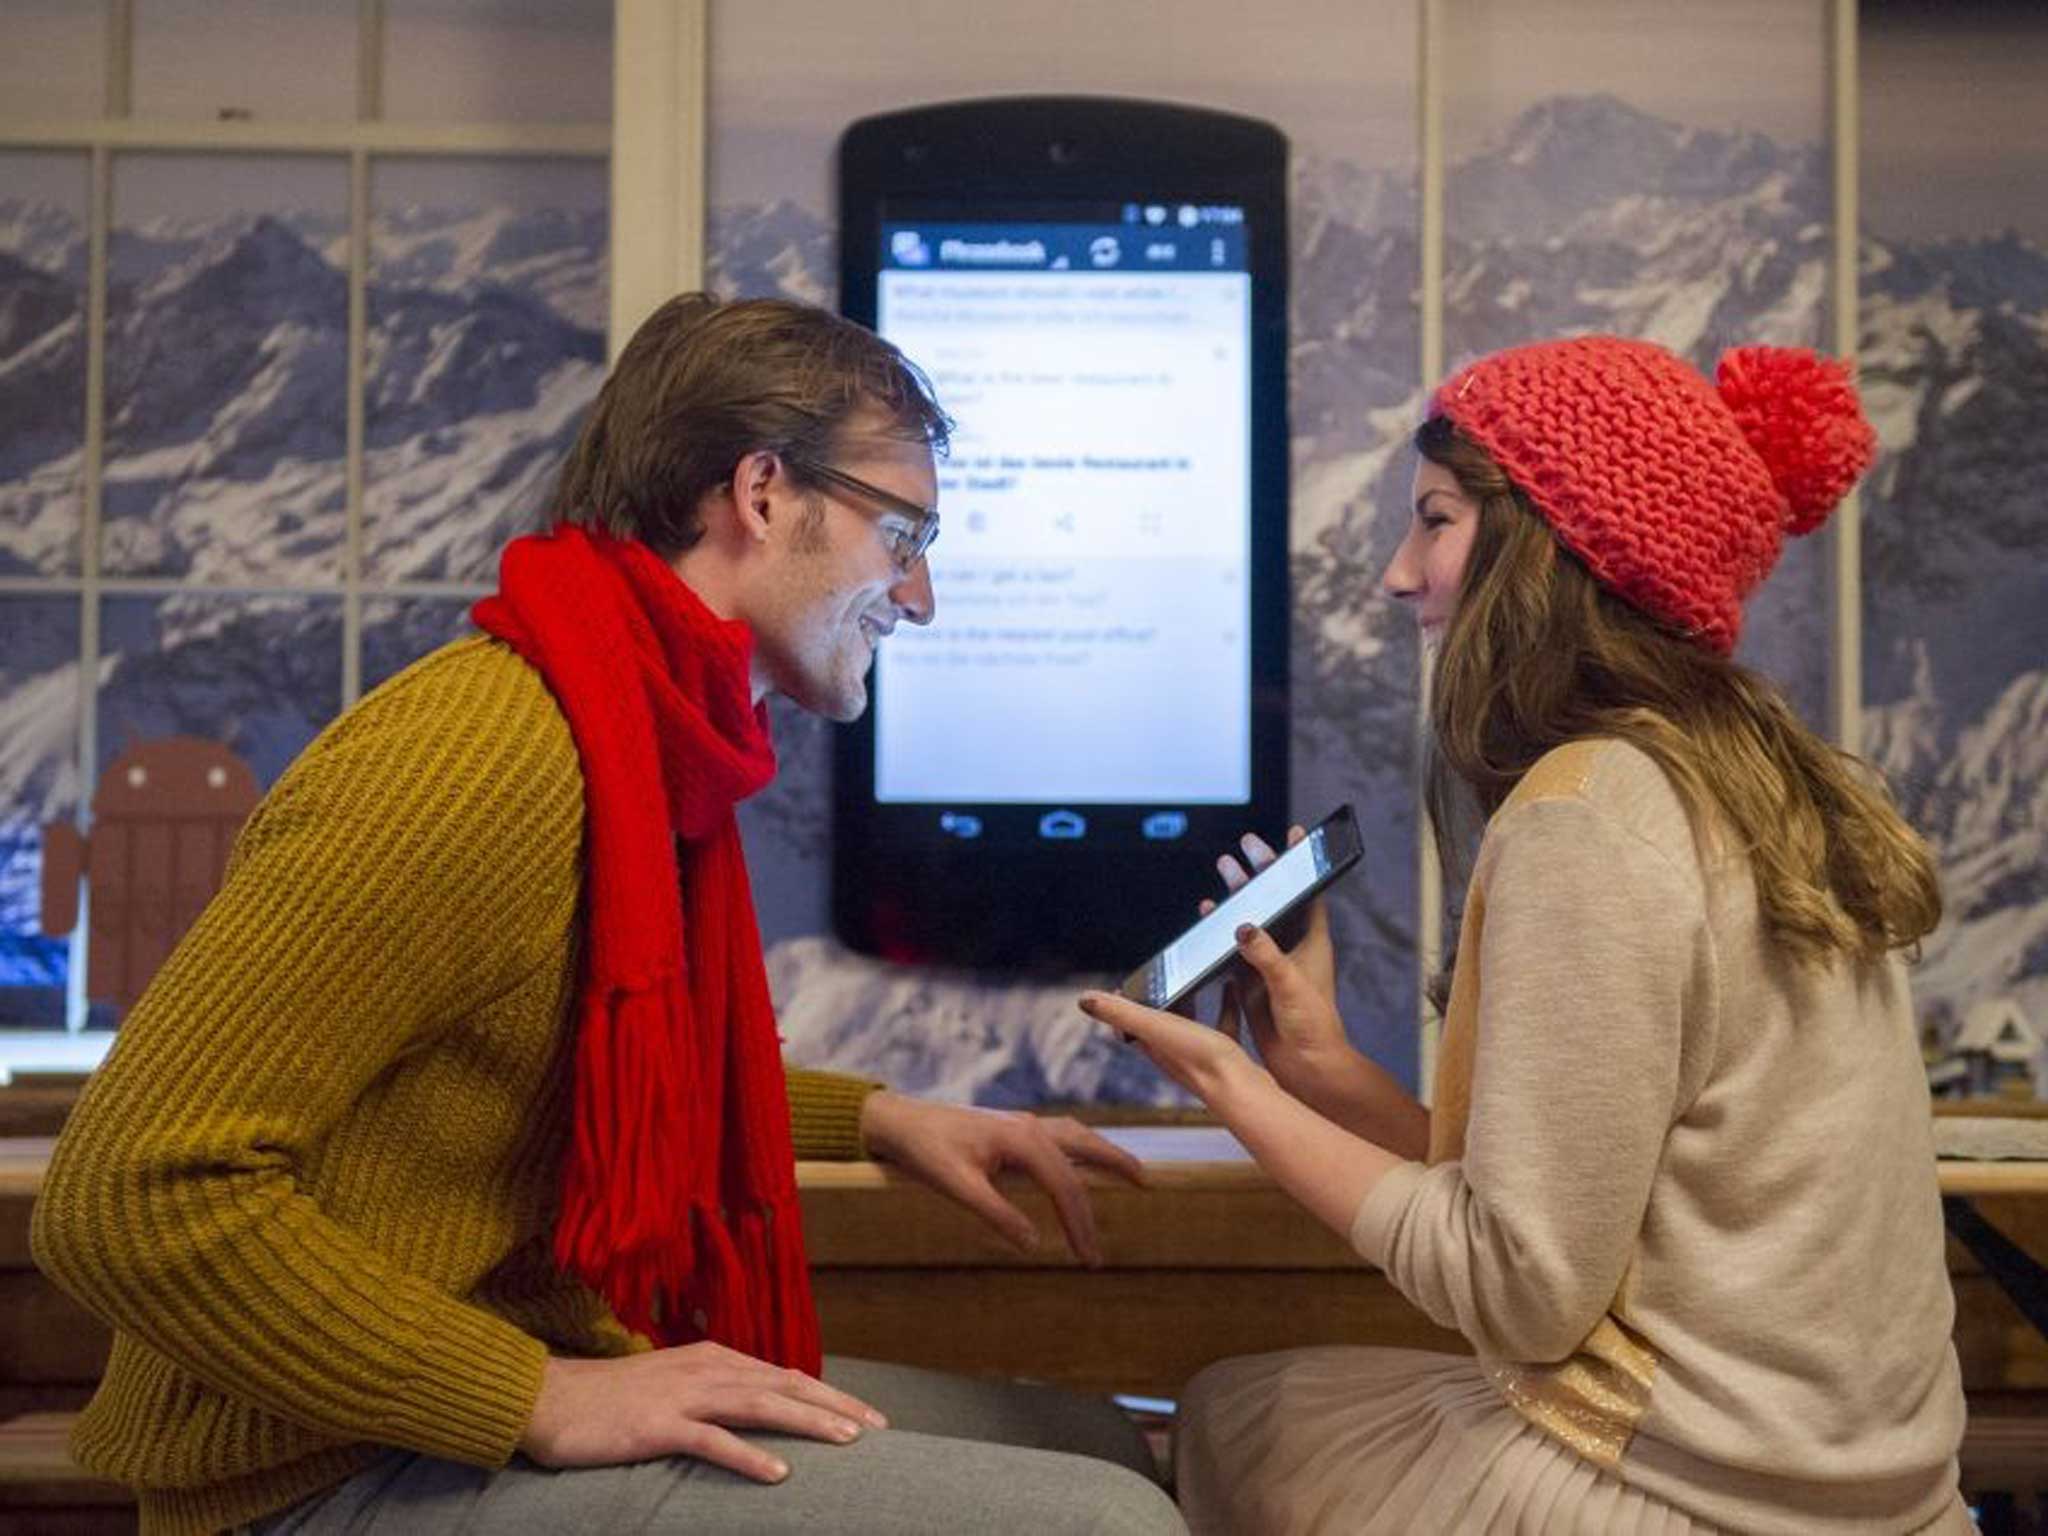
x=226 y=372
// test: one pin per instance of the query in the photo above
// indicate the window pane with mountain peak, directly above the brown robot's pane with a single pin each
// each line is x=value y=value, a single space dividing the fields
x=226 y=370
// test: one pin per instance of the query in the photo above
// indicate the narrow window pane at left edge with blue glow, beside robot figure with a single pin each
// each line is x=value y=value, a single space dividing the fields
x=38 y=787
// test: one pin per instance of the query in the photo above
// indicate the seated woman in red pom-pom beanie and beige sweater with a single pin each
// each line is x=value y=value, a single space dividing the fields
x=1676 y=1183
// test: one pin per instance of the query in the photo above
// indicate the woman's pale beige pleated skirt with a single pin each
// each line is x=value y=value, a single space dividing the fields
x=1390 y=1441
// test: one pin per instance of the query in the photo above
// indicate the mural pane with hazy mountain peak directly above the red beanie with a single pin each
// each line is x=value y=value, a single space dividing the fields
x=1656 y=171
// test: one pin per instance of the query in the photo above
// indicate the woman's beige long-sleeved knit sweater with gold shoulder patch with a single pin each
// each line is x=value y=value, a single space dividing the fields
x=1682 y=1193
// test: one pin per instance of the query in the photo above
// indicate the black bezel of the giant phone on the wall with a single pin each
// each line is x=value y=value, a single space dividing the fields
x=1015 y=900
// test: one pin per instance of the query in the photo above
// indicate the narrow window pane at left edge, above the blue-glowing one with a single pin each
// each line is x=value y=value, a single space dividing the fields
x=42 y=359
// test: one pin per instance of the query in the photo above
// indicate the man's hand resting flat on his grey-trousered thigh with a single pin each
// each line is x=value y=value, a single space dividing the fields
x=677 y=1404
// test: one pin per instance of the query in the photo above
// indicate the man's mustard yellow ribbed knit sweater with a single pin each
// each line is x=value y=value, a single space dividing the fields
x=312 y=1187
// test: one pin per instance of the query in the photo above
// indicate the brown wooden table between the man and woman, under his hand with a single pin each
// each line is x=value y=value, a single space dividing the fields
x=1213 y=1261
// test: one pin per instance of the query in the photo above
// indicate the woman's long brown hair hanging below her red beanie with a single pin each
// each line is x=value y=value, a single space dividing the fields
x=1539 y=654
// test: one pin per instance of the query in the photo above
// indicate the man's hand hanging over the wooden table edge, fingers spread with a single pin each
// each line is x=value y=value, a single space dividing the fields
x=959 y=1150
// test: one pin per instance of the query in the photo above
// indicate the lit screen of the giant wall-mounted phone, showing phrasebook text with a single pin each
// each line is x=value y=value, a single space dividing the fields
x=1093 y=638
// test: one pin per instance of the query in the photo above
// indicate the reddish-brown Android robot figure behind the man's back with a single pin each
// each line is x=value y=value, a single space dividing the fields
x=163 y=820
